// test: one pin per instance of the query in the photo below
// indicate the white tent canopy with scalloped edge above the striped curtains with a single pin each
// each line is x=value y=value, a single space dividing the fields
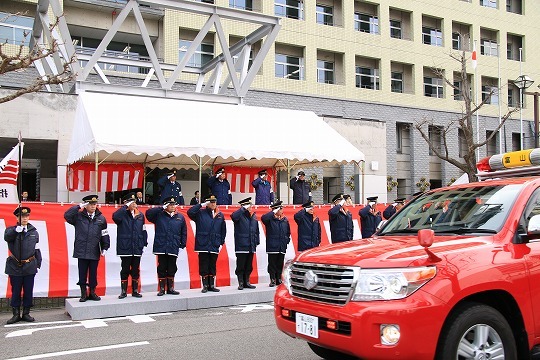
x=187 y=134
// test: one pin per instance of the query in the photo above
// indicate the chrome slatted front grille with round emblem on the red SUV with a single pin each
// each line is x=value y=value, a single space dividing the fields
x=334 y=283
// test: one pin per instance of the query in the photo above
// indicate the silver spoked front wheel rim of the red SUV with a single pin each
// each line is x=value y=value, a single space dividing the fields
x=480 y=342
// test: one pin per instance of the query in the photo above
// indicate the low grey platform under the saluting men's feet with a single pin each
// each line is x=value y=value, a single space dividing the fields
x=150 y=303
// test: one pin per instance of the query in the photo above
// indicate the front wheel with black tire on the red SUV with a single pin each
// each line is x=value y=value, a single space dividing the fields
x=459 y=341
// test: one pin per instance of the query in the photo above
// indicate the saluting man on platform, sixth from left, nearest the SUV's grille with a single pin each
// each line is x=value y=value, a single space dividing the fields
x=278 y=236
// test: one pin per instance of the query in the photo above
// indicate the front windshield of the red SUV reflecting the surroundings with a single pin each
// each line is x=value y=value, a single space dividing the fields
x=465 y=210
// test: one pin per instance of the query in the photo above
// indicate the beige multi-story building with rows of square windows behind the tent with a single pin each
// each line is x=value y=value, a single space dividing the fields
x=369 y=68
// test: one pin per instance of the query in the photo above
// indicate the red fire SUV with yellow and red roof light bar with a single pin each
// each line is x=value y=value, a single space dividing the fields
x=455 y=274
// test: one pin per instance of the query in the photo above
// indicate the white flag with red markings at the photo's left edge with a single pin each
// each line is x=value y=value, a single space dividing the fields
x=9 y=171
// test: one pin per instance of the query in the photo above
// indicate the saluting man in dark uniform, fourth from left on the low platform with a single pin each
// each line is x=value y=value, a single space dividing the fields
x=209 y=237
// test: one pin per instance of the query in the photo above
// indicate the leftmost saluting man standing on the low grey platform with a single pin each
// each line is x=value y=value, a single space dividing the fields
x=91 y=241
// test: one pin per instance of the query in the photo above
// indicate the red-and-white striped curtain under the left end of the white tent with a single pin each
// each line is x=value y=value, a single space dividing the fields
x=111 y=177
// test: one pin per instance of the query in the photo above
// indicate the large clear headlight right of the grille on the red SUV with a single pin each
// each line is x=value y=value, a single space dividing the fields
x=391 y=284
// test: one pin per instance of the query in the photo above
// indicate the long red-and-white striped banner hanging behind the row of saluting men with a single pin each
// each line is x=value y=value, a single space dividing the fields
x=58 y=275
